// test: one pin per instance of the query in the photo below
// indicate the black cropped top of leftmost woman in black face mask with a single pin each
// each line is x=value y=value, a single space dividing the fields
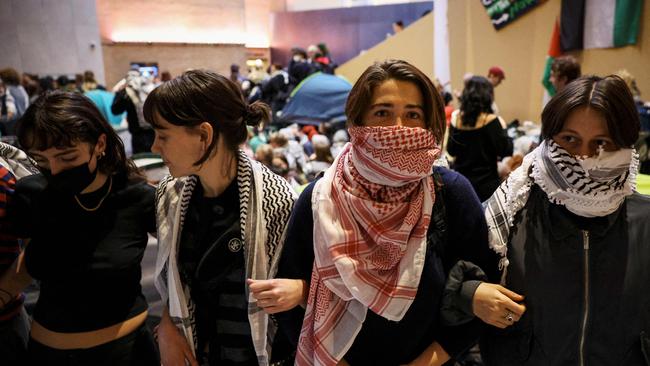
x=88 y=262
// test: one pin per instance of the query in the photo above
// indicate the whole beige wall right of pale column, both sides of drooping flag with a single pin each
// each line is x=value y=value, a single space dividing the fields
x=520 y=49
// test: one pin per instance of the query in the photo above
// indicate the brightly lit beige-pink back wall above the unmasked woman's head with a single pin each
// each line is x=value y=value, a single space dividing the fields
x=183 y=34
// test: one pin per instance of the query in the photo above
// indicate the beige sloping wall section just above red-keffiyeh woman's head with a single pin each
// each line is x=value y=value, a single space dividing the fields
x=414 y=44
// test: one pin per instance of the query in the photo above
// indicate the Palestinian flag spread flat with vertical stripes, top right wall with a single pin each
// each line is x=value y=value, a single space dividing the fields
x=599 y=23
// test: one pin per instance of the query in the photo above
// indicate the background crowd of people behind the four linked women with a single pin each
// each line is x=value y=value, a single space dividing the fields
x=295 y=155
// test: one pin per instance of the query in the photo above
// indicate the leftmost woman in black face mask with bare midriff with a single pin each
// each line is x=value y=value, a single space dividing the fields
x=87 y=215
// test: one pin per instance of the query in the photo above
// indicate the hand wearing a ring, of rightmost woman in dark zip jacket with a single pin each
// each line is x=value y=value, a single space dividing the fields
x=497 y=306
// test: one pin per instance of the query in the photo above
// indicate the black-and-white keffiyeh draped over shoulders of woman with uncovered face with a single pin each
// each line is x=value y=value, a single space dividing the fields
x=266 y=200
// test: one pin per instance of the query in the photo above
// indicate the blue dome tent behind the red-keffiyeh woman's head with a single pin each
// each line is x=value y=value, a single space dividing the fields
x=317 y=99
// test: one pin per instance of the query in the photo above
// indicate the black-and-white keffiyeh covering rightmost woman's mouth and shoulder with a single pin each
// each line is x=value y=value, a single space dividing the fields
x=588 y=187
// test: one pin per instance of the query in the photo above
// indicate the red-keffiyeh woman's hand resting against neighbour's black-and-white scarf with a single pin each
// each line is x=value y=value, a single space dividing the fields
x=279 y=294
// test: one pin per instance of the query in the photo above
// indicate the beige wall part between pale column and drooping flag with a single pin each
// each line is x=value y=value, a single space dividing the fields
x=519 y=49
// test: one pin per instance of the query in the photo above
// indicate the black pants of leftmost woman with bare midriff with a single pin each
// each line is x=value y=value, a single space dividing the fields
x=137 y=348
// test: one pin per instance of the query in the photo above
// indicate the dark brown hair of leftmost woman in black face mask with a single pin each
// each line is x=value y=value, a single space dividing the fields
x=62 y=119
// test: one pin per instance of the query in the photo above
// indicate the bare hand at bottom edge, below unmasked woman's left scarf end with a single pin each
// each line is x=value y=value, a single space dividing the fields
x=174 y=350
